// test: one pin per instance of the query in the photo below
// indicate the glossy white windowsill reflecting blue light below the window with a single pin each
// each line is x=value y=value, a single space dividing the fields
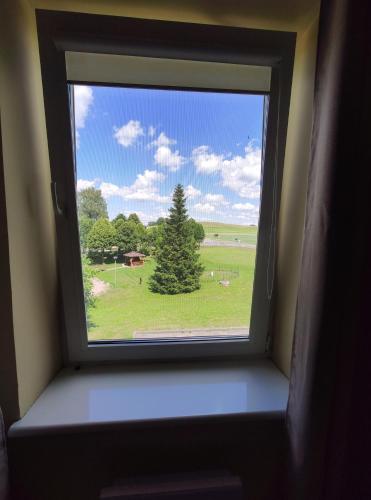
x=106 y=396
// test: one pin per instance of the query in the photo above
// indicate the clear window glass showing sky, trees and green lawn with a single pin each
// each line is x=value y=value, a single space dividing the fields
x=168 y=188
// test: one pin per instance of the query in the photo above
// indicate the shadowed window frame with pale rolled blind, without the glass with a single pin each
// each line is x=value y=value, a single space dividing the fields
x=58 y=43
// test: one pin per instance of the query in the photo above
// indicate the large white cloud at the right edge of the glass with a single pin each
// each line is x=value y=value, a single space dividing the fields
x=241 y=174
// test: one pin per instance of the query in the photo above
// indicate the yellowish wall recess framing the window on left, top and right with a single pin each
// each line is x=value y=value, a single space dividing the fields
x=27 y=175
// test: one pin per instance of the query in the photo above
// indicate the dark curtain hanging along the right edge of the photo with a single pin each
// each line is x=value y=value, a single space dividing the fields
x=328 y=415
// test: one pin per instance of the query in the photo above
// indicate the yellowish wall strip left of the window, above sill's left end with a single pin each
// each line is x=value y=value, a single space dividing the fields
x=31 y=233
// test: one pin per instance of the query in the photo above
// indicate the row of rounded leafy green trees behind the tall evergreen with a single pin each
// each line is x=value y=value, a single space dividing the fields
x=101 y=239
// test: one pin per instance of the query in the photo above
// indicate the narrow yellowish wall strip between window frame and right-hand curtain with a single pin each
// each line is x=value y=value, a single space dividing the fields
x=293 y=197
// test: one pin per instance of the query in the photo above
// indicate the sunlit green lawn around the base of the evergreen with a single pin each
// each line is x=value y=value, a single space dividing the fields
x=130 y=306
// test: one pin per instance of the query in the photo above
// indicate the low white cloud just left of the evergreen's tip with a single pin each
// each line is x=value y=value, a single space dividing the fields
x=145 y=187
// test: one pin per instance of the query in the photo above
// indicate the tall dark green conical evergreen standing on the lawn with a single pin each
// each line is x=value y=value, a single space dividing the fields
x=178 y=269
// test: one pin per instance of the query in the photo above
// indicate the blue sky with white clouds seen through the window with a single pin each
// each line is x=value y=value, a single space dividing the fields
x=137 y=144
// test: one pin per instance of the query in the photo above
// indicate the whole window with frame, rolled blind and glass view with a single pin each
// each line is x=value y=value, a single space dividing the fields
x=166 y=173
